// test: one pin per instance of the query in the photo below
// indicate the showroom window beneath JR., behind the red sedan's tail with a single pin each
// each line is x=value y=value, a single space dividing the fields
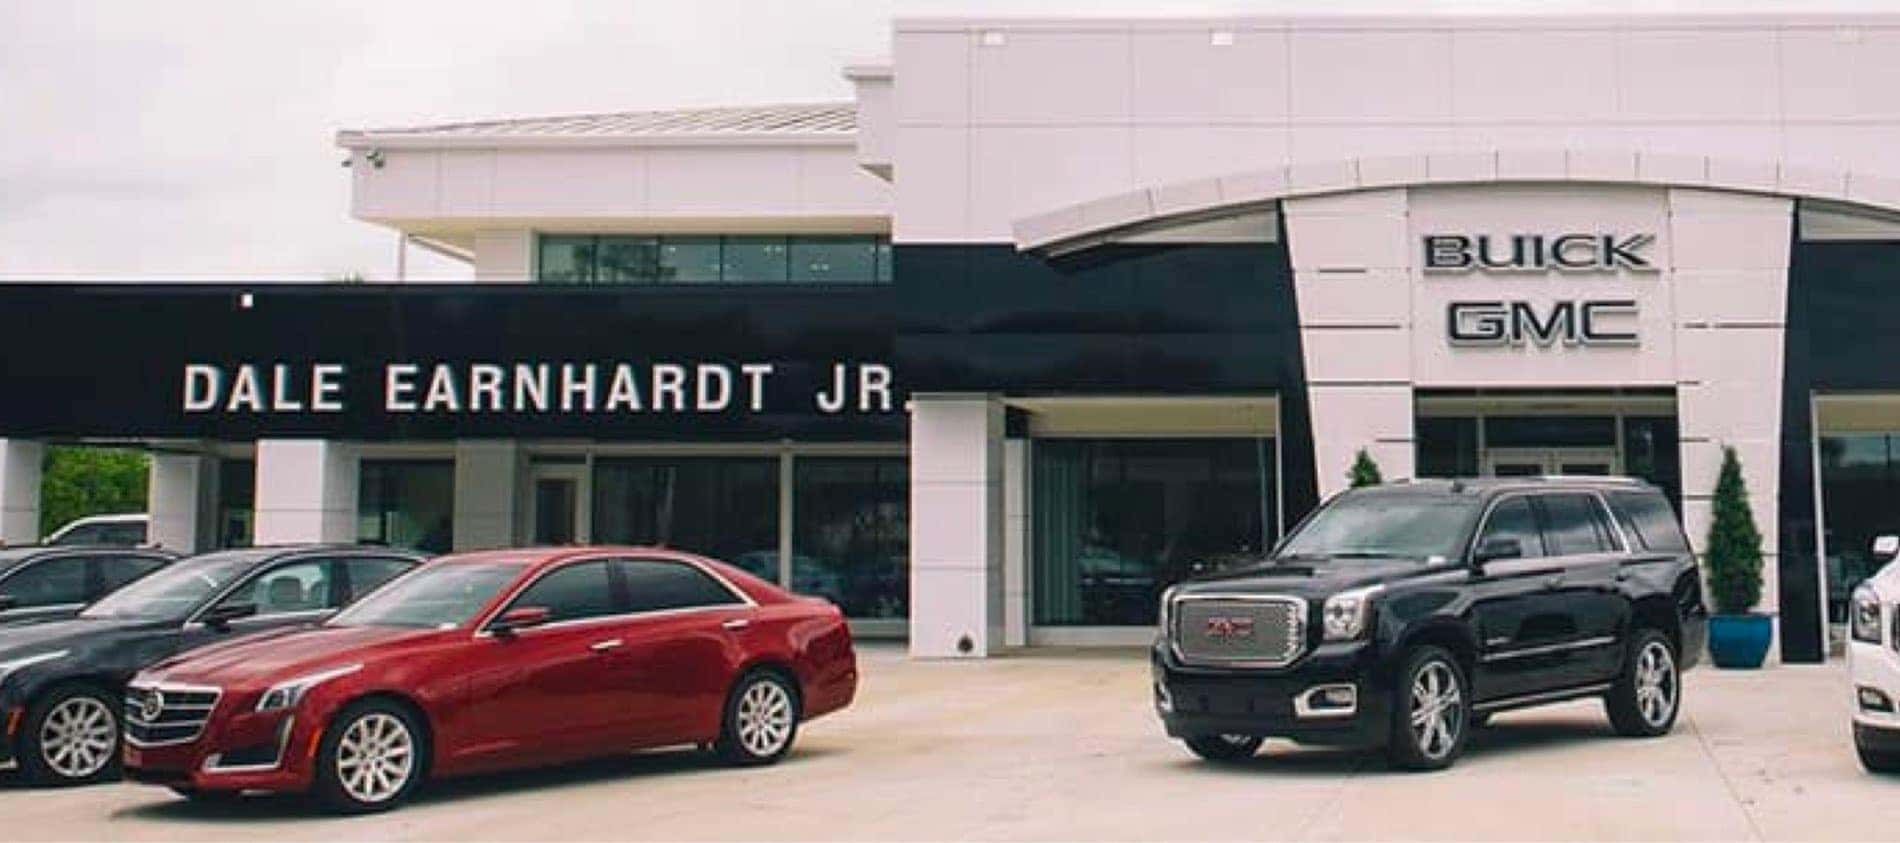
x=852 y=534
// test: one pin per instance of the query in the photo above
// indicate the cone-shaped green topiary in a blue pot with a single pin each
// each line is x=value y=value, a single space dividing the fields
x=1738 y=635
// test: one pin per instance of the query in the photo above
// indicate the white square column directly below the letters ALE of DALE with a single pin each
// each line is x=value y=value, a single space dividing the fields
x=307 y=491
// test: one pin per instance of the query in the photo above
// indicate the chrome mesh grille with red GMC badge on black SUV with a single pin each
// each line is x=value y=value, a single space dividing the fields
x=1240 y=631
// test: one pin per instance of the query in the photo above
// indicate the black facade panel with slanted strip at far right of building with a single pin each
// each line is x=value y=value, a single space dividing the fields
x=1844 y=303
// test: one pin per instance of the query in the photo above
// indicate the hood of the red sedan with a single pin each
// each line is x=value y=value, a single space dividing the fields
x=269 y=658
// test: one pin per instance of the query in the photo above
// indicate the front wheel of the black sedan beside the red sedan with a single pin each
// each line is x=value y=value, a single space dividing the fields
x=71 y=738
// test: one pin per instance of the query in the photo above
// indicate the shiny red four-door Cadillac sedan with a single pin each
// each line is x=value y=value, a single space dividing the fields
x=491 y=662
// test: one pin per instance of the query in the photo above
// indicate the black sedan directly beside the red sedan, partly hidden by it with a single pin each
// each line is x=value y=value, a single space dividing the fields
x=64 y=683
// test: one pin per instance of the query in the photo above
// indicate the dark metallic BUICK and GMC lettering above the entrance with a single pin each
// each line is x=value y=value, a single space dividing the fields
x=1519 y=324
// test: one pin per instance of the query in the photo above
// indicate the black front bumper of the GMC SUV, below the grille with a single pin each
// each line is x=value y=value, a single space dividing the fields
x=1255 y=702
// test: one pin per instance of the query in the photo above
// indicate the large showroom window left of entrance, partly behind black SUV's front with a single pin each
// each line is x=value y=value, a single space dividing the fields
x=1116 y=521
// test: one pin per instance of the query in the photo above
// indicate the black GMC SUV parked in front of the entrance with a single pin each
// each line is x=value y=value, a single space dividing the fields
x=1405 y=616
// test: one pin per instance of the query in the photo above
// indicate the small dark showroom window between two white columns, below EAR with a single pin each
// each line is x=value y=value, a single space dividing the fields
x=408 y=504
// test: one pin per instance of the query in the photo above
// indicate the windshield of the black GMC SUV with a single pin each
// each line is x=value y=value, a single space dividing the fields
x=1386 y=527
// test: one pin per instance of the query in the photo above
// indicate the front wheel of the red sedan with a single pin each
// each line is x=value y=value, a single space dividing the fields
x=371 y=759
